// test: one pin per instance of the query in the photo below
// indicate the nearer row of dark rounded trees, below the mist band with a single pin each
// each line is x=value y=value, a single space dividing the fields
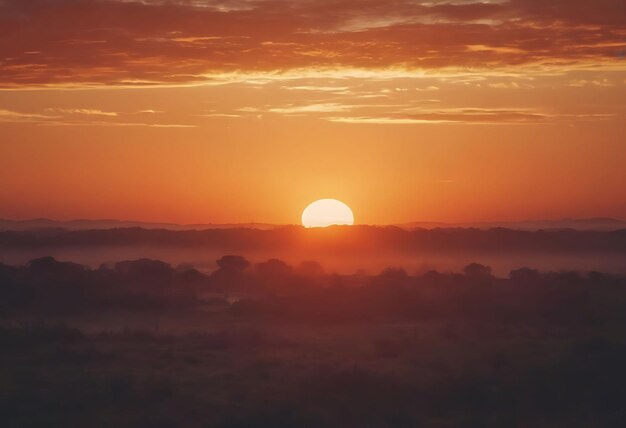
x=276 y=290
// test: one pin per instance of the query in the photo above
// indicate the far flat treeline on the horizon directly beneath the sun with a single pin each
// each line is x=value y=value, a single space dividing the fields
x=337 y=239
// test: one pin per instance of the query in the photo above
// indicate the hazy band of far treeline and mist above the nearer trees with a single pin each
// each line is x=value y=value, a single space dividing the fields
x=338 y=249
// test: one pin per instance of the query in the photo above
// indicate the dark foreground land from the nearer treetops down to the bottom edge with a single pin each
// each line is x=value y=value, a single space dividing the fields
x=392 y=350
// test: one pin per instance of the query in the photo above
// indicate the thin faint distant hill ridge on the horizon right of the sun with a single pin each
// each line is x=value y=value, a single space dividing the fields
x=598 y=224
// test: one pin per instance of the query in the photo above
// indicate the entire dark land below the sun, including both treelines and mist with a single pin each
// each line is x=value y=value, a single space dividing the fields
x=259 y=338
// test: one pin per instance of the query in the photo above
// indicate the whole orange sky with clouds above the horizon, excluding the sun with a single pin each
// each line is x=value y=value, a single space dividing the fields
x=202 y=111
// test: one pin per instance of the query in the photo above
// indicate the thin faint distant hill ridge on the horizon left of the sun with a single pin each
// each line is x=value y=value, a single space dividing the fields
x=104 y=224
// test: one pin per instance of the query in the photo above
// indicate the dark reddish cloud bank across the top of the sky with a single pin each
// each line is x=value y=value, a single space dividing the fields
x=134 y=43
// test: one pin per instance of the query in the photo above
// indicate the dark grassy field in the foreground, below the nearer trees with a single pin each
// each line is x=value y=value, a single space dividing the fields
x=205 y=372
